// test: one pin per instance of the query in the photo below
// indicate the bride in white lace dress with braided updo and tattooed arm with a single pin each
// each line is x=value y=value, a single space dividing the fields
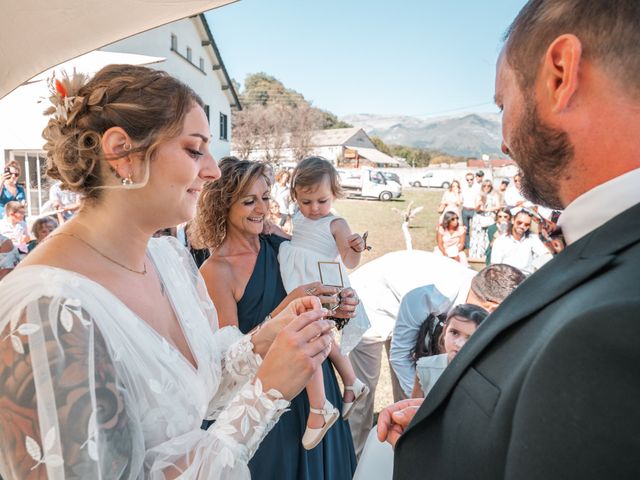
x=110 y=352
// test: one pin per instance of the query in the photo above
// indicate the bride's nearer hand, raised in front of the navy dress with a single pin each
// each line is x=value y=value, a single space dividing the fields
x=298 y=350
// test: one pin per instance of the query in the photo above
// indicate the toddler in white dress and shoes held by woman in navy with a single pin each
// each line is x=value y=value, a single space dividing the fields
x=318 y=235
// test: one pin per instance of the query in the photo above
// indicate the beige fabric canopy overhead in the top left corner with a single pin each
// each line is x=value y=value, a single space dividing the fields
x=38 y=34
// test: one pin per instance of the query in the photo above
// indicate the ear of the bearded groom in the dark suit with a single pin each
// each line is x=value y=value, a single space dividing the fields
x=560 y=72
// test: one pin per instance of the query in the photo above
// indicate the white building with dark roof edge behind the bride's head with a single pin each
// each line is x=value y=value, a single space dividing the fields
x=185 y=49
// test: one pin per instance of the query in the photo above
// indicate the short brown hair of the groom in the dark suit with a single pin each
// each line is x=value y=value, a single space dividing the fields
x=607 y=29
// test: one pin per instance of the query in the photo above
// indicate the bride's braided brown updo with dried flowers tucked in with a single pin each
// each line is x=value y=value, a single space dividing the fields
x=150 y=105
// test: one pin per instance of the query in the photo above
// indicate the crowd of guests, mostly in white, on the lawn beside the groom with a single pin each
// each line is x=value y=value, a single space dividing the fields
x=488 y=223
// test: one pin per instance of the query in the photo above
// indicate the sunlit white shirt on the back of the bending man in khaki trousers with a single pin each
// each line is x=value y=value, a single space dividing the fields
x=381 y=284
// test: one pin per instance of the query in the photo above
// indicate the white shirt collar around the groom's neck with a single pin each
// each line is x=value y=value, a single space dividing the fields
x=599 y=205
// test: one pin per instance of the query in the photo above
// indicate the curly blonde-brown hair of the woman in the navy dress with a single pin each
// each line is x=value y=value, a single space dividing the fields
x=209 y=228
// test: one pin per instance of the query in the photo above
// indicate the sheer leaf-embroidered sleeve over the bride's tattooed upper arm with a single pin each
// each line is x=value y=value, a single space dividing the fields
x=62 y=414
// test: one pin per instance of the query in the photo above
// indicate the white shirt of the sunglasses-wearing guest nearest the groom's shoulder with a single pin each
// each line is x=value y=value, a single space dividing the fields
x=527 y=254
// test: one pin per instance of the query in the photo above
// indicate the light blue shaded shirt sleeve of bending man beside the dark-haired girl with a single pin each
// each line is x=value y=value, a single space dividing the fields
x=449 y=288
